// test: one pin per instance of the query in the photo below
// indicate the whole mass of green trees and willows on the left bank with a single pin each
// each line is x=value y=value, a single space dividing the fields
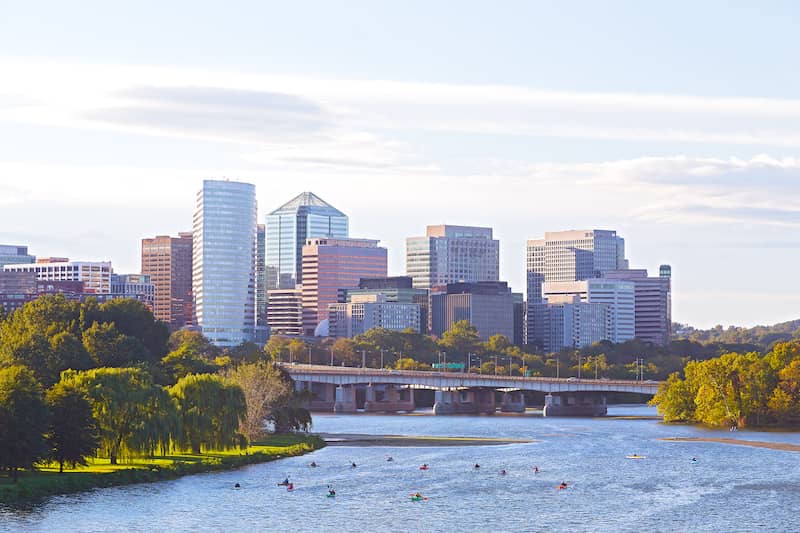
x=82 y=379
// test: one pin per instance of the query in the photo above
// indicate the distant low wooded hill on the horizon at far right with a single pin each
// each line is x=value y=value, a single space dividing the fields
x=763 y=336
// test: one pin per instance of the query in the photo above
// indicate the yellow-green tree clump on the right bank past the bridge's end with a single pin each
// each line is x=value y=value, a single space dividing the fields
x=736 y=389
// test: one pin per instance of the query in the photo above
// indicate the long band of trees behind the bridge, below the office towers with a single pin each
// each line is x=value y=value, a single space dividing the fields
x=462 y=345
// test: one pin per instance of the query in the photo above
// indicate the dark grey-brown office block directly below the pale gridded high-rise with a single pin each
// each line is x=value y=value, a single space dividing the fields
x=487 y=305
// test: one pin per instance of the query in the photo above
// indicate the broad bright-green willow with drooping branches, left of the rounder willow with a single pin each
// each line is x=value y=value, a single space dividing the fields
x=120 y=399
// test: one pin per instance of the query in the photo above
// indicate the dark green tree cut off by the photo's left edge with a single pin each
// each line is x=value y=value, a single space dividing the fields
x=23 y=420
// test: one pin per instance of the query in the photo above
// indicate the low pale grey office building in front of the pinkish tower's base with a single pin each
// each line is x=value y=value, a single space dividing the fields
x=367 y=311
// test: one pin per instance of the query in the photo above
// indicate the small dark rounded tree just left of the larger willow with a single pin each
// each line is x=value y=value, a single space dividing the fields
x=72 y=434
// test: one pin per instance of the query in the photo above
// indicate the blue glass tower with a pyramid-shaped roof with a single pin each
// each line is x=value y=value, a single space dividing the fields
x=289 y=227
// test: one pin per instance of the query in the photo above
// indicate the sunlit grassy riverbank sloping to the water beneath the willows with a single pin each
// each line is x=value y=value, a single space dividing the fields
x=47 y=481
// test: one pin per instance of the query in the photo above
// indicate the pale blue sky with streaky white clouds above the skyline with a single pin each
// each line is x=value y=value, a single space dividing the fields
x=675 y=123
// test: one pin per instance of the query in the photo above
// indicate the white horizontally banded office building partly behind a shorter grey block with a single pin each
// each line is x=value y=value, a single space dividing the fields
x=617 y=295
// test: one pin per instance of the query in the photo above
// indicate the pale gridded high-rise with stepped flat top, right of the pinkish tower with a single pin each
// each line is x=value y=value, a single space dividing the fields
x=452 y=254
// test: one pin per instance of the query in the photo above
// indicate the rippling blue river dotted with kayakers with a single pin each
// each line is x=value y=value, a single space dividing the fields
x=729 y=488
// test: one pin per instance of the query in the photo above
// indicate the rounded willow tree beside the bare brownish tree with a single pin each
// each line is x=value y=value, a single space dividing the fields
x=211 y=409
